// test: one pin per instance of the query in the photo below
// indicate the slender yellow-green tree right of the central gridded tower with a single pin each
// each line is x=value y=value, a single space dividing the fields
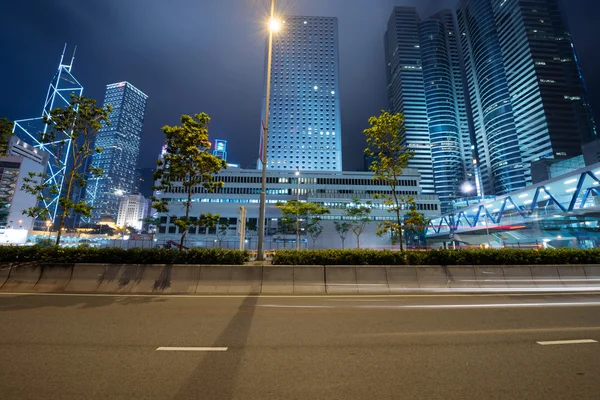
x=385 y=140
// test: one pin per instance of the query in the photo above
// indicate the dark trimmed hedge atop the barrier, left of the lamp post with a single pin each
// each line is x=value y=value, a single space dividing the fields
x=115 y=255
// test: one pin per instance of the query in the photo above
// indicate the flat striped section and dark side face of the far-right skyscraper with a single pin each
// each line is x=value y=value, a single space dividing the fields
x=548 y=96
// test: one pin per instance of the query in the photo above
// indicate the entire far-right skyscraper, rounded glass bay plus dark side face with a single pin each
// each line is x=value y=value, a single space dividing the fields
x=526 y=90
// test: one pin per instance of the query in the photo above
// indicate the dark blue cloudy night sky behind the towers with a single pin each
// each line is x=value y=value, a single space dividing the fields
x=190 y=56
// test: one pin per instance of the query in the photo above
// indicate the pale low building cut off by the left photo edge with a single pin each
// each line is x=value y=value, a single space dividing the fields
x=21 y=160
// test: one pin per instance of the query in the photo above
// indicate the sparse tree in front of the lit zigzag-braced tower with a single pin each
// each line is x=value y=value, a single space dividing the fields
x=72 y=133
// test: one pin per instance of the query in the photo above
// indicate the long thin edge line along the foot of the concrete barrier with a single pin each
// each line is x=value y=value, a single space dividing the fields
x=449 y=293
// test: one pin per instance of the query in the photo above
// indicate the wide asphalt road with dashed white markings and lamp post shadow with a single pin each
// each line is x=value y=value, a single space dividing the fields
x=414 y=347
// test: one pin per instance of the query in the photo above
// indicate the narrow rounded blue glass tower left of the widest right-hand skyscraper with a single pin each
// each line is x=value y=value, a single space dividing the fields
x=446 y=107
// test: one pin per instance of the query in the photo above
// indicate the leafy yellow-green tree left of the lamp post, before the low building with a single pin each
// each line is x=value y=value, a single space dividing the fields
x=188 y=164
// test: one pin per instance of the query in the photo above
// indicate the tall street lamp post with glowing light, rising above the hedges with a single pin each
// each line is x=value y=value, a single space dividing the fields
x=263 y=193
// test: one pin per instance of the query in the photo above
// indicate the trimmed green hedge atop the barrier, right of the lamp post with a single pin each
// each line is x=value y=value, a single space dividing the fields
x=438 y=257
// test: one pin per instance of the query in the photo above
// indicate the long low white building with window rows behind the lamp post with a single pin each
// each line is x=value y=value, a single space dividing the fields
x=334 y=190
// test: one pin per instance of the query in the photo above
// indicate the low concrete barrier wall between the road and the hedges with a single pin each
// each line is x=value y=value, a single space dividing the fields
x=268 y=279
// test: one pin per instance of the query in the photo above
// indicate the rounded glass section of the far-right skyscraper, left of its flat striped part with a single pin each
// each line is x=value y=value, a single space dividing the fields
x=499 y=153
